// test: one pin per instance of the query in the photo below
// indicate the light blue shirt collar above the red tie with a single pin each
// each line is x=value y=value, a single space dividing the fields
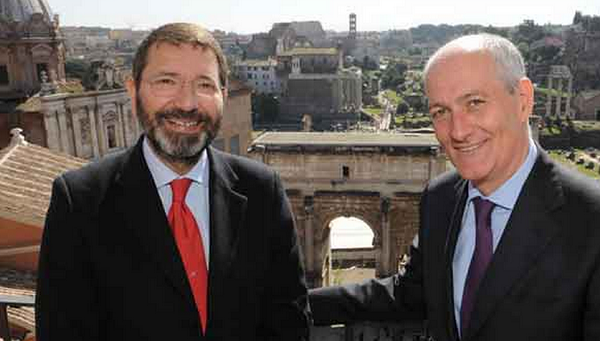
x=163 y=175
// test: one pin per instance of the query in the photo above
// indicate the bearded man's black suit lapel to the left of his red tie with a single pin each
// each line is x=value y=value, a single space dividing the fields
x=144 y=214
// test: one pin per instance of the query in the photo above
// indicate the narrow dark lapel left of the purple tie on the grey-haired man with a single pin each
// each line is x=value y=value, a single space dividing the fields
x=451 y=239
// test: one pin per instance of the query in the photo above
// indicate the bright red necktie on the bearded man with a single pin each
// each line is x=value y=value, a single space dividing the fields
x=189 y=243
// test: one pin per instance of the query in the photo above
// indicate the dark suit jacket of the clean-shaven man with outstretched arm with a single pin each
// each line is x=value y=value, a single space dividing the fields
x=543 y=282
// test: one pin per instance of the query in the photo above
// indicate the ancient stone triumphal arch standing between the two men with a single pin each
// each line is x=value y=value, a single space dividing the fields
x=372 y=176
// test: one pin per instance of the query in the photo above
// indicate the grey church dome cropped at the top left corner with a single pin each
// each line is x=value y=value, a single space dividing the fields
x=23 y=10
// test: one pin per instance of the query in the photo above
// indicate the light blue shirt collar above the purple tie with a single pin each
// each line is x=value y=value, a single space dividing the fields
x=507 y=194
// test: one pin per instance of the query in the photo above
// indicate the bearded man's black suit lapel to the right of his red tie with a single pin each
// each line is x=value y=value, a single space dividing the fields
x=227 y=213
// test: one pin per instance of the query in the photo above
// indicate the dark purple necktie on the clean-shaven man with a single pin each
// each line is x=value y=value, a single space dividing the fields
x=481 y=258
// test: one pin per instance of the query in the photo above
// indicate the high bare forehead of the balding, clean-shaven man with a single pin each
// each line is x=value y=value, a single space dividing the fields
x=458 y=72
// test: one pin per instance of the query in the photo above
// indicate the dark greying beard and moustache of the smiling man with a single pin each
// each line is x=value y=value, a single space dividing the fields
x=178 y=147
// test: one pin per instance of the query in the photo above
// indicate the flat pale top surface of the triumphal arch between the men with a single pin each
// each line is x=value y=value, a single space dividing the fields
x=348 y=139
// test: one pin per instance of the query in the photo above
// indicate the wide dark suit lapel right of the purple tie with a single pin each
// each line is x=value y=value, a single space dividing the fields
x=528 y=231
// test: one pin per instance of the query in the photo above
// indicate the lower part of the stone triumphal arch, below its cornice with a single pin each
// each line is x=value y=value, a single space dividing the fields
x=394 y=222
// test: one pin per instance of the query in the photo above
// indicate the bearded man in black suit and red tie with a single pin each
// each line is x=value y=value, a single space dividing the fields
x=172 y=239
